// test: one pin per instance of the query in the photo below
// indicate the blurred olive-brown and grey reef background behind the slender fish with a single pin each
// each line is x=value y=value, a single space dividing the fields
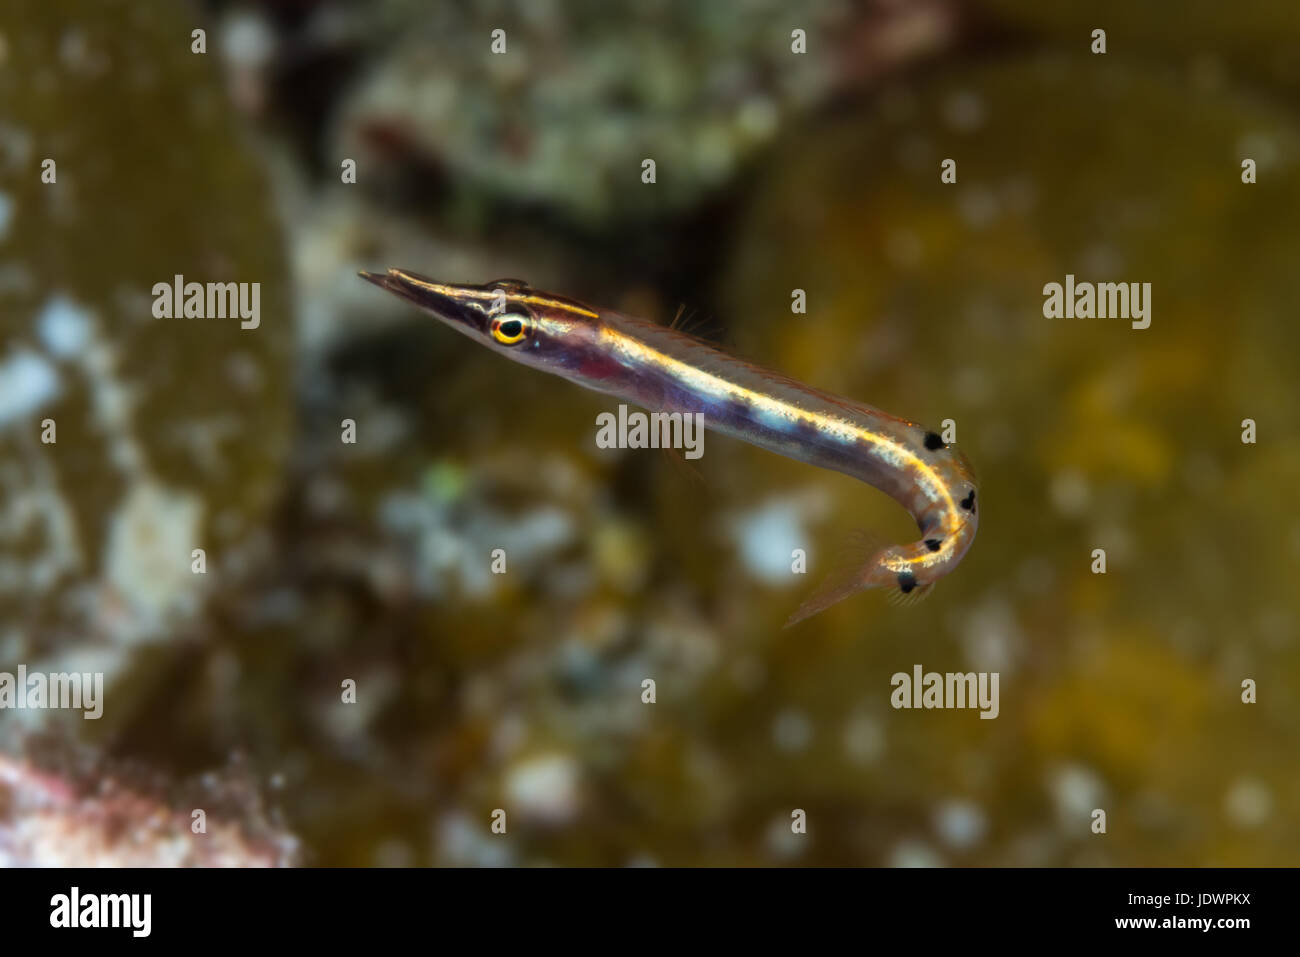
x=525 y=692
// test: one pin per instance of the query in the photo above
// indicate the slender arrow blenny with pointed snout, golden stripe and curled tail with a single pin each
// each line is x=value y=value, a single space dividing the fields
x=668 y=371
